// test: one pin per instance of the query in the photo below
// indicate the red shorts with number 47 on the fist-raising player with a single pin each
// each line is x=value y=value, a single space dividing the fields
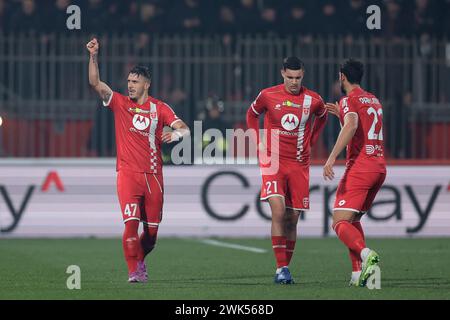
x=140 y=196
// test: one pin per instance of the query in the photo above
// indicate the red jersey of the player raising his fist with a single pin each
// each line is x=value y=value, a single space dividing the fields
x=138 y=132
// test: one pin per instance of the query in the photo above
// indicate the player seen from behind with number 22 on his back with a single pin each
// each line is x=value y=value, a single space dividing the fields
x=361 y=116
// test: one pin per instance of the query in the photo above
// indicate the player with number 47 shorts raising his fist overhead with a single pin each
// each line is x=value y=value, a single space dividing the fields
x=139 y=121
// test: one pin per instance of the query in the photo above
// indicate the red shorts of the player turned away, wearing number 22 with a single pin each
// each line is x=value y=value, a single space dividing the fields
x=356 y=191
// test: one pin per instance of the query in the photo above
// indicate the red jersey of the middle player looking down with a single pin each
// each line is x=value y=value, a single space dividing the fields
x=288 y=119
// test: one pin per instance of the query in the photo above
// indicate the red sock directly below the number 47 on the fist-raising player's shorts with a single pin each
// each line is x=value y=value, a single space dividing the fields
x=131 y=244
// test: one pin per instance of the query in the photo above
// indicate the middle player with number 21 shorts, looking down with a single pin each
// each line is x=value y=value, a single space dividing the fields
x=288 y=108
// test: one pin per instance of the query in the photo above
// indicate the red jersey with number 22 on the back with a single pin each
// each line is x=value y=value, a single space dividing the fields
x=365 y=150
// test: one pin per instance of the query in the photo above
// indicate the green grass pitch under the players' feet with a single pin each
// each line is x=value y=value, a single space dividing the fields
x=189 y=269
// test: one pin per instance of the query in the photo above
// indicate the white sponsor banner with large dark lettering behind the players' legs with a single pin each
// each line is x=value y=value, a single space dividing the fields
x=78 y=198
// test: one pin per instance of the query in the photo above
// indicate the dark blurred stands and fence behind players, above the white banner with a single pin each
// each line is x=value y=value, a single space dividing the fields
x=212 y=77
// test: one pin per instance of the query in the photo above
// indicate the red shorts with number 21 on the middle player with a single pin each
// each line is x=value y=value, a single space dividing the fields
x=290 y=182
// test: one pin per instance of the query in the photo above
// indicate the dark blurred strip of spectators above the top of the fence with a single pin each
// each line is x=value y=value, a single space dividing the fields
x=402 y=18
